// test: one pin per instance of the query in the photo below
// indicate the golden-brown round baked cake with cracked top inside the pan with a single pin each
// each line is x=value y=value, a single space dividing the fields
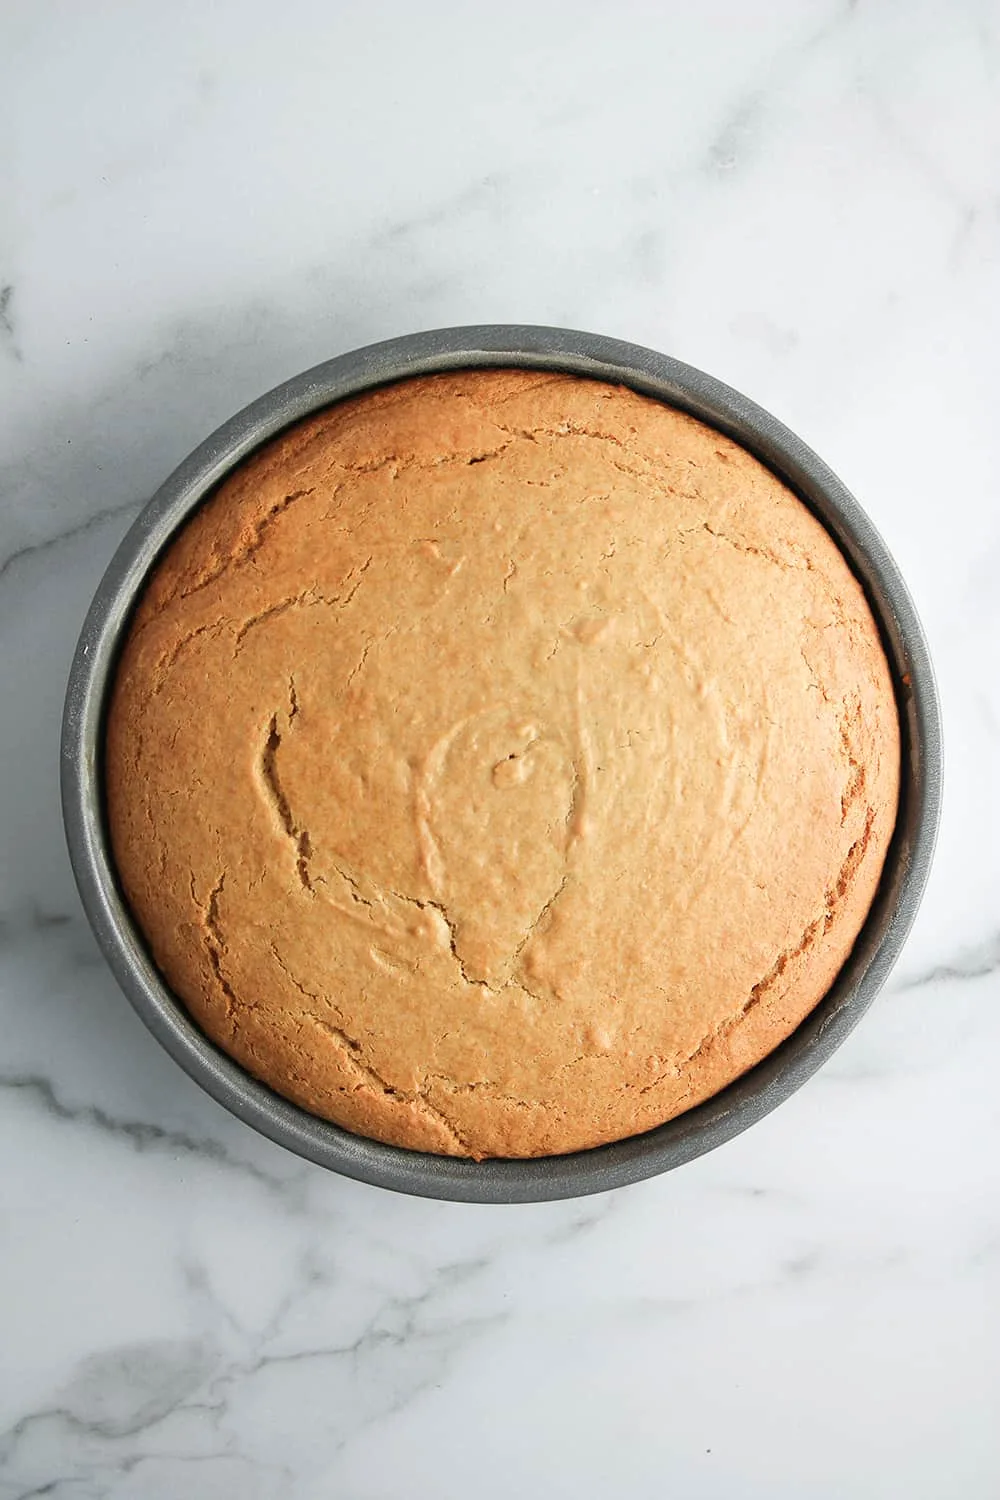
x=501 y=763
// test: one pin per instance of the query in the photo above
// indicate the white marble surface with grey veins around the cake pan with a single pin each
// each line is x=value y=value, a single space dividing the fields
x=200 y=200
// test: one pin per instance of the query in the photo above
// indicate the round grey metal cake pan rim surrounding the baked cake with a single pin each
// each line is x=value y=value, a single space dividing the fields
x=746 y=1100
